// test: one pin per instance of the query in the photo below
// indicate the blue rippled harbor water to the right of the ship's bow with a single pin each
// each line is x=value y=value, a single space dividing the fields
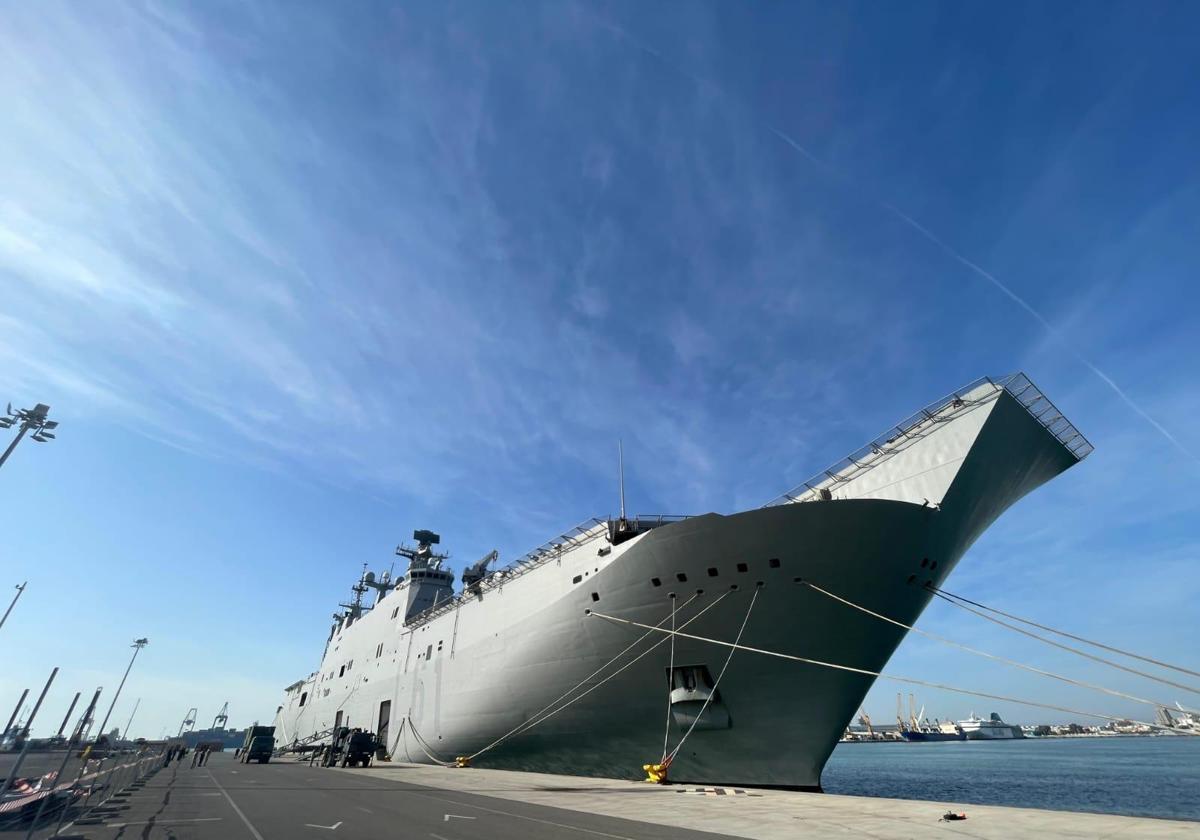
x=1131 y=776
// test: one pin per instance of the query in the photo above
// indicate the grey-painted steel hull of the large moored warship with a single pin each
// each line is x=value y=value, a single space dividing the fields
x=497 y=661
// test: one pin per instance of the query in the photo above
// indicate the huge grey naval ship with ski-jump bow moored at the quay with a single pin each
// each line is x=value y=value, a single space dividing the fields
x=440 y=673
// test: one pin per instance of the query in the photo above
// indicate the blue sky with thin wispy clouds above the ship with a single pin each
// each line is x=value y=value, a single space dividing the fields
x=301 y=279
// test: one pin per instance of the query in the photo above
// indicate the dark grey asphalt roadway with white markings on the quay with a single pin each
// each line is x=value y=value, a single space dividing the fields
x=284 y=800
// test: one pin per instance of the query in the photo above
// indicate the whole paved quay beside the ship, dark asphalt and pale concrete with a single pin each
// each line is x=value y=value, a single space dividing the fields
x=286 y=799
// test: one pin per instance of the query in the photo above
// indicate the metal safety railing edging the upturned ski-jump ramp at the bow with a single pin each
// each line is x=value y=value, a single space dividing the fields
x=917 y=425
